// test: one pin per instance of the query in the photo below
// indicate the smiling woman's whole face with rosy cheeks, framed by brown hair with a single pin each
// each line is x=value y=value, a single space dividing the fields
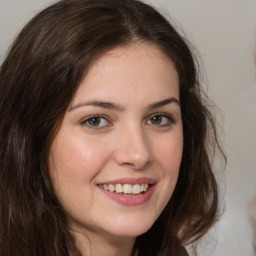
x=115 y=161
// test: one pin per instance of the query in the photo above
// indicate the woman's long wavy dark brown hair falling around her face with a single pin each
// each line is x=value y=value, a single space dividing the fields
x=39 y=78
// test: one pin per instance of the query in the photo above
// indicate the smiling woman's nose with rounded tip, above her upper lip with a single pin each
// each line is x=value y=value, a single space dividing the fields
x=133 y=149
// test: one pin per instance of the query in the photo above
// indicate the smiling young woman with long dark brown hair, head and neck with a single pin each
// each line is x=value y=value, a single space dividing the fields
x=106 y=139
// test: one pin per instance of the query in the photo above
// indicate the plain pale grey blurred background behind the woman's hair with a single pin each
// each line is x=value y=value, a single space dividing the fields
x=224 y=33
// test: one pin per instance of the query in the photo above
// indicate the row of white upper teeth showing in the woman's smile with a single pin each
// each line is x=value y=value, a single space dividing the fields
x=126 y=188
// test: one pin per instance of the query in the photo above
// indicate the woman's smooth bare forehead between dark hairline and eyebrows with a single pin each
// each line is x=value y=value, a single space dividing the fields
x=136 y=69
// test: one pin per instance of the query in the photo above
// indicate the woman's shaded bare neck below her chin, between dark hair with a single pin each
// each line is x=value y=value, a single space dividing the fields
x=98 y=244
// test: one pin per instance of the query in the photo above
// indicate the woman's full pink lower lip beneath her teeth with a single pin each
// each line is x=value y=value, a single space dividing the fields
x=130 y=199
